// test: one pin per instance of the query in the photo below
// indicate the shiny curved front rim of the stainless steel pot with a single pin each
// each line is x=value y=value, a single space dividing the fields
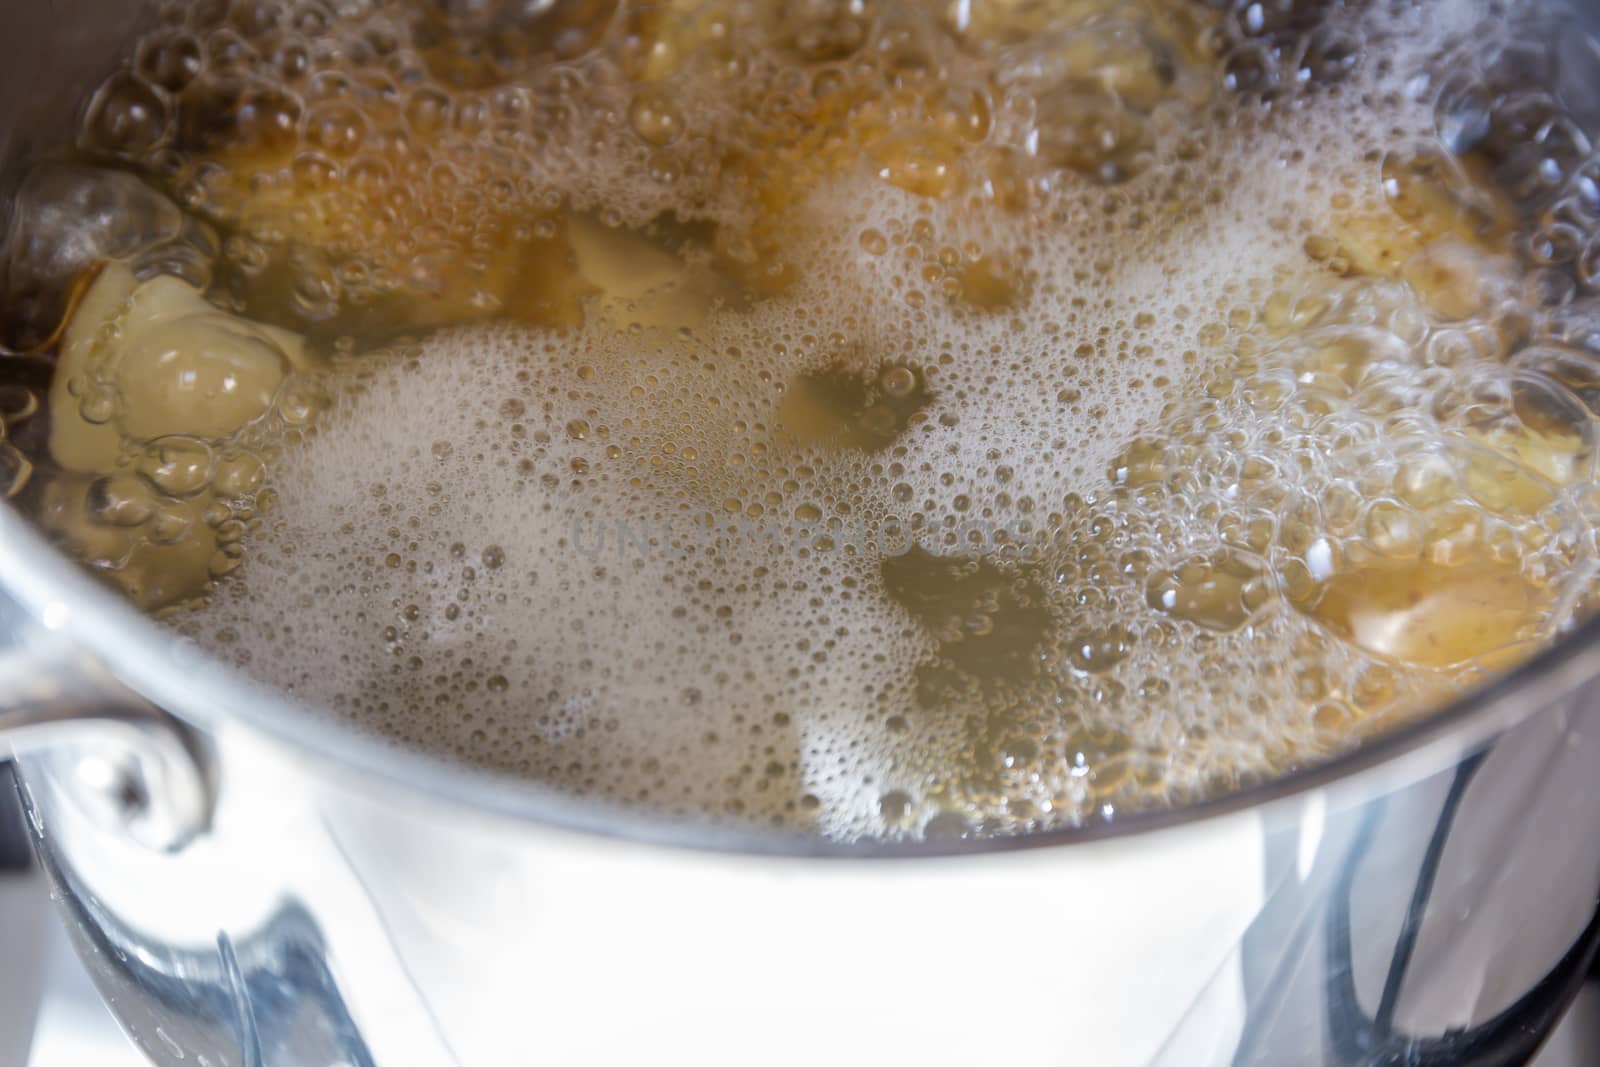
x=169 y=671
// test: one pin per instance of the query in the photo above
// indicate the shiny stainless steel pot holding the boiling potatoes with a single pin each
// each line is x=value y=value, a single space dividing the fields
x=252 y=887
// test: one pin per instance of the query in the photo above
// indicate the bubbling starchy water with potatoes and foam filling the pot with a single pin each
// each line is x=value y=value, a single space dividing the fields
x=879 y=420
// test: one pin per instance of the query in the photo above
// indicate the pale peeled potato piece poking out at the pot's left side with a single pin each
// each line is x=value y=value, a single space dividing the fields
x=178 y=369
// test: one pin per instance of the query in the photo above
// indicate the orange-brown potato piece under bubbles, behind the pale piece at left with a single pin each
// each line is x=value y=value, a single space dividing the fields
x=514 y=263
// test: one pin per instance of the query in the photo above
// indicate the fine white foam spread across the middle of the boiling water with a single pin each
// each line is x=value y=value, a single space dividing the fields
x=730 y=673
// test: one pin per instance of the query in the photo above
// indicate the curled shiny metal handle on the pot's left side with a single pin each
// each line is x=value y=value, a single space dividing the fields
x=132 y=767
